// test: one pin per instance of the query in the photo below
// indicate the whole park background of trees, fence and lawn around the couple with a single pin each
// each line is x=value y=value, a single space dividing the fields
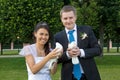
x=18 y=18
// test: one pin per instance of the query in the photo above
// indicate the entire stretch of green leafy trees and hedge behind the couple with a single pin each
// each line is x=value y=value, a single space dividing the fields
x=18 y=17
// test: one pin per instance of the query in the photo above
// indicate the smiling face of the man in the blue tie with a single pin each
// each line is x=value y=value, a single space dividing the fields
x=68 y=19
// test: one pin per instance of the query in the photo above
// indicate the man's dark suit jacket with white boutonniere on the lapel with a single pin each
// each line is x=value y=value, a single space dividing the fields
x=91 y=48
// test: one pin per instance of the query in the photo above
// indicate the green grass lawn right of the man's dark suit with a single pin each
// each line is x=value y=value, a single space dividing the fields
x=109 y=67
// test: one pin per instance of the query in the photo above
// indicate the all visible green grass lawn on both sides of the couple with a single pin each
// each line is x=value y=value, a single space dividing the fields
x=15 y=68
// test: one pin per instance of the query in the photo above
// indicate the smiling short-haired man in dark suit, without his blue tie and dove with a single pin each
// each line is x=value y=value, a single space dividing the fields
x=87 y=47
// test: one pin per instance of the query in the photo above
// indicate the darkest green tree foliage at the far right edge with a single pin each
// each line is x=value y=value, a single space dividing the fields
x=109 y=16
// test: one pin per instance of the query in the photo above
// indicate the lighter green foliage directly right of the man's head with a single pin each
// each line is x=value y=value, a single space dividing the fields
x=87 y=14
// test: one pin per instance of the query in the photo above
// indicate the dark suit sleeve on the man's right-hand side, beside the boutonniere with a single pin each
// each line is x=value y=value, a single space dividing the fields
x=93 y=49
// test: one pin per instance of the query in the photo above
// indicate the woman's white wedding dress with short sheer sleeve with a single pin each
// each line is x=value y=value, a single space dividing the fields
x=44 y=73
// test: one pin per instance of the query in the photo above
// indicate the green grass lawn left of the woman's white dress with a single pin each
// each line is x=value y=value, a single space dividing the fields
x=12 y=69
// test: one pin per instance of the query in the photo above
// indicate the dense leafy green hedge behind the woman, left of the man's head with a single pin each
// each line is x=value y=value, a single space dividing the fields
x=18 y=17
